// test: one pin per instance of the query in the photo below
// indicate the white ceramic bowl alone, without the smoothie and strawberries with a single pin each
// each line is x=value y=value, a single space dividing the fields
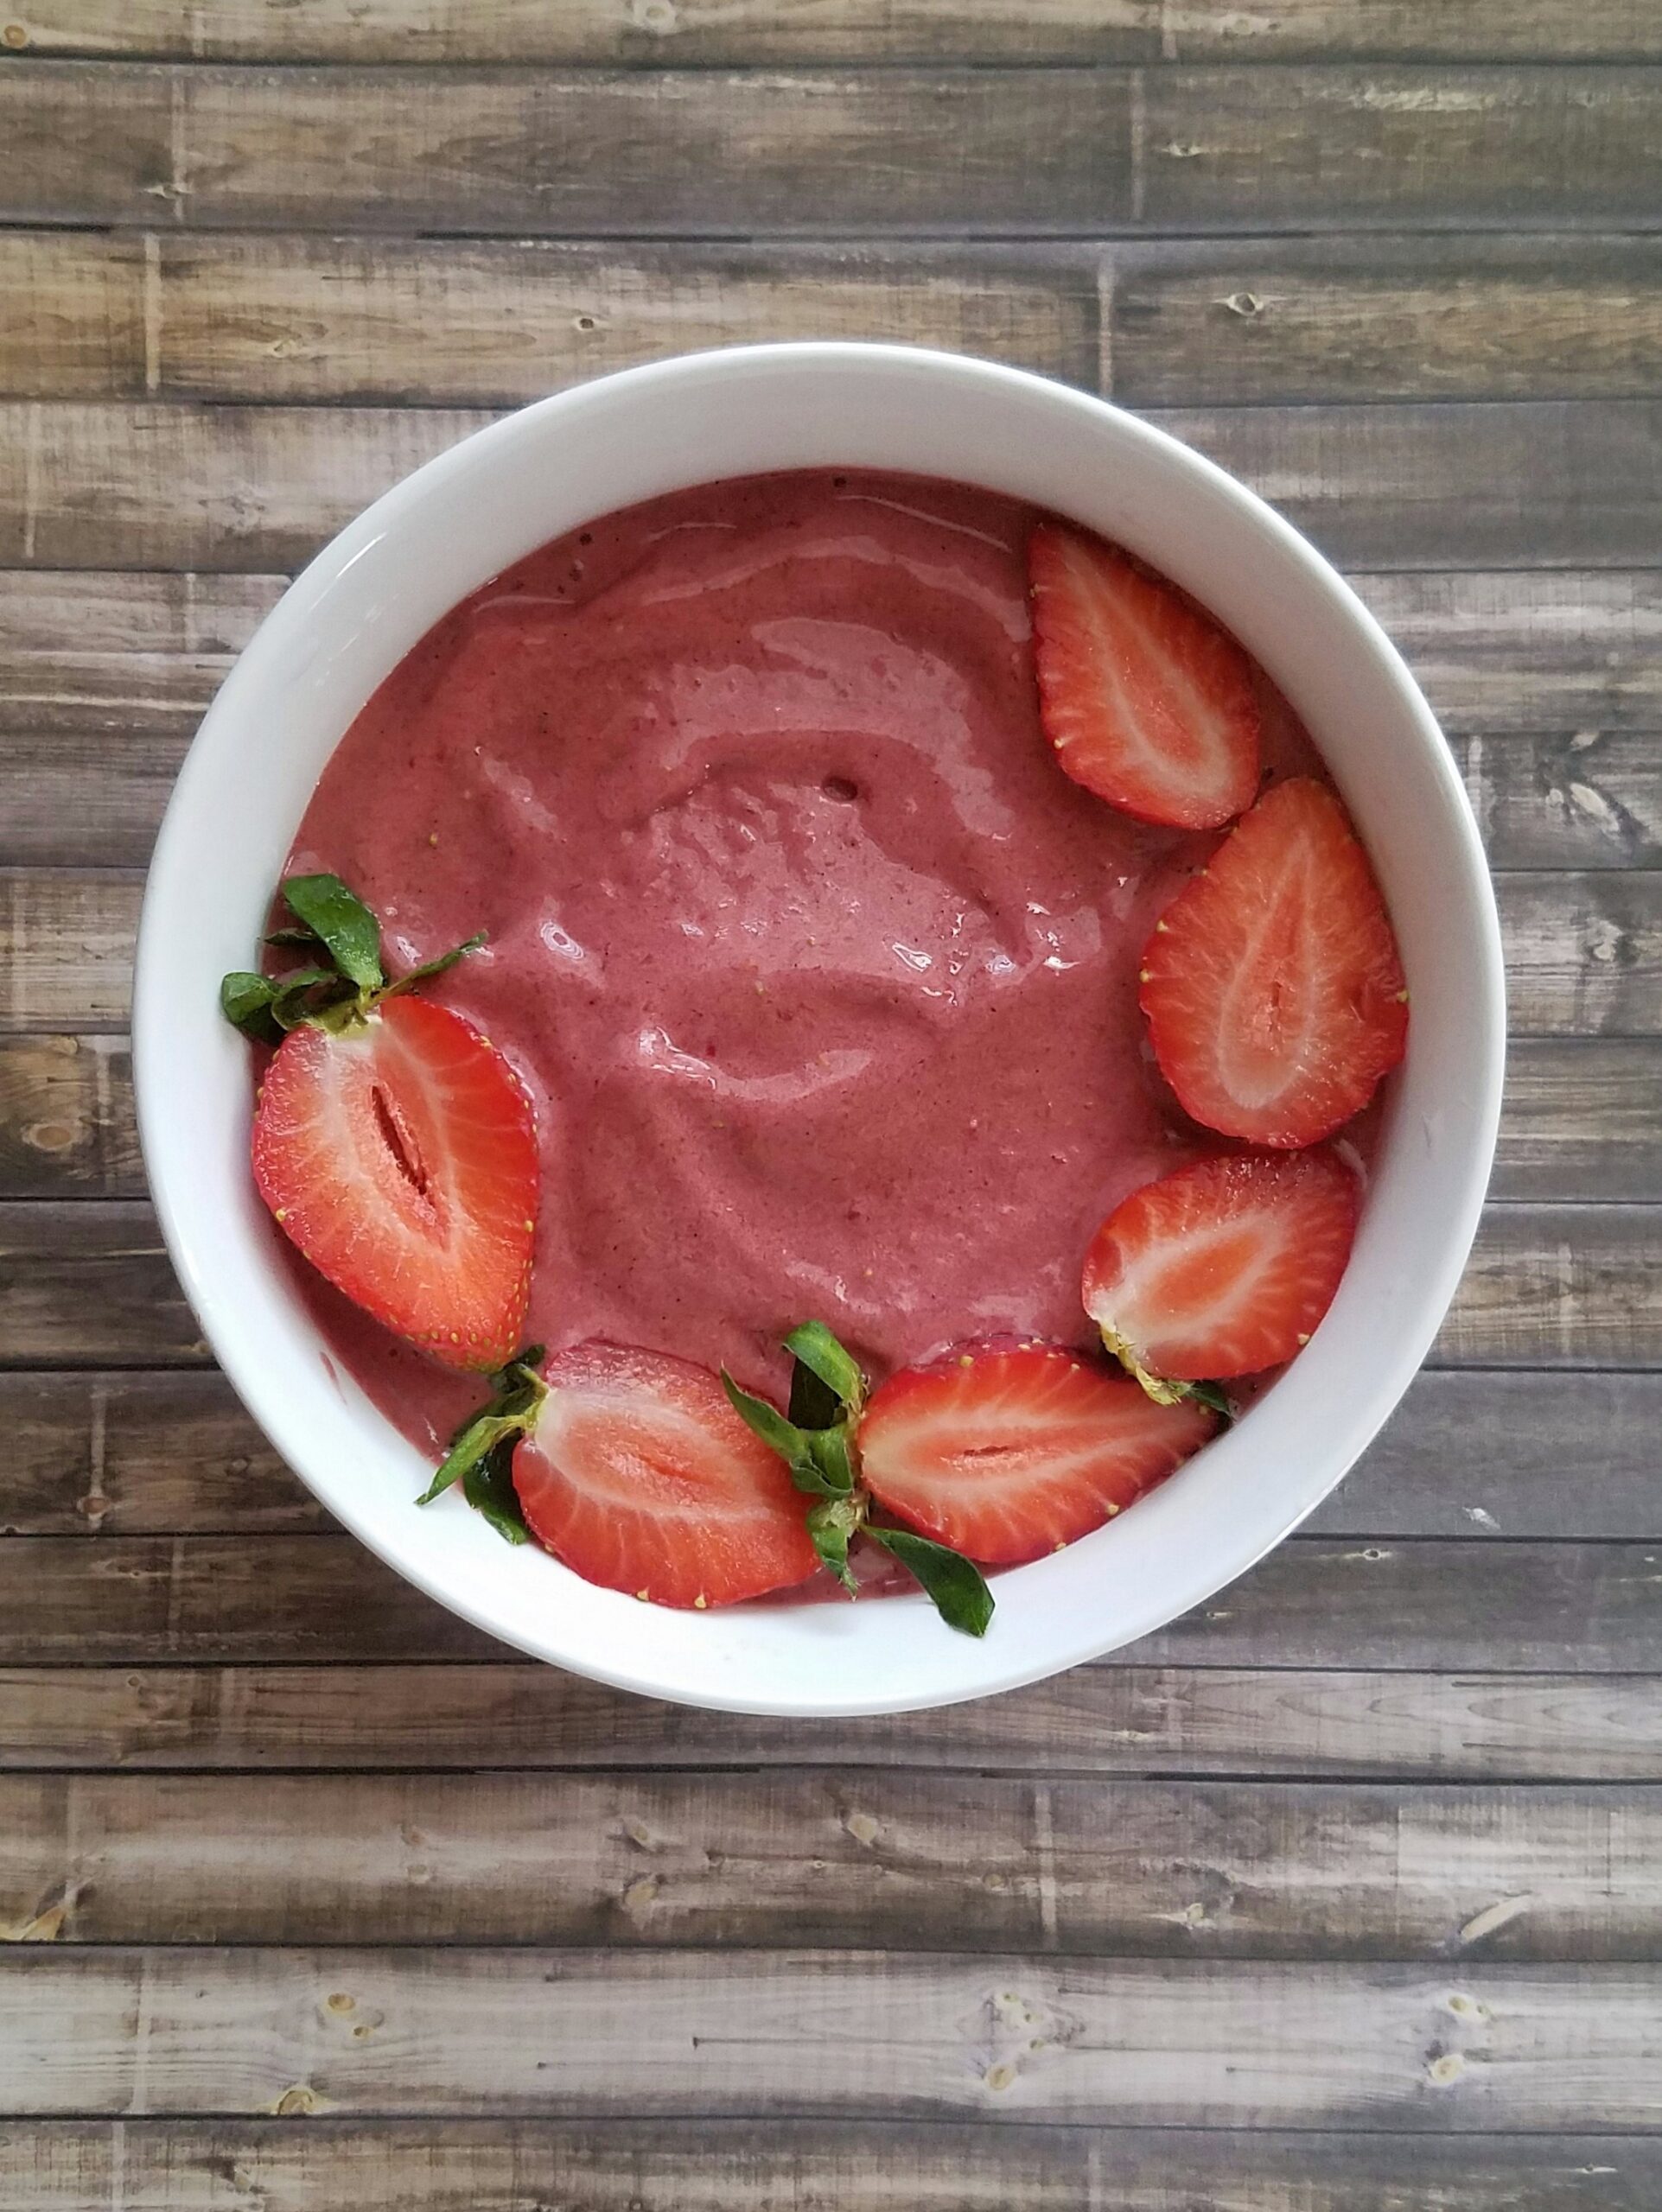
x=705 y=417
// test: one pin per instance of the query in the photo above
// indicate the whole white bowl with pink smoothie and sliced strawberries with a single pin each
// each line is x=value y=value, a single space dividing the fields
x=893 y=795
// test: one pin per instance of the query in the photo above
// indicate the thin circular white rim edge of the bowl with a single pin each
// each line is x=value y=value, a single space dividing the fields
x=399 y=505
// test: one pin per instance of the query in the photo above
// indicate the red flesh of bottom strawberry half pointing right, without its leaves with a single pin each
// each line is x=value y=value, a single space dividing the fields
x=1012 y=1454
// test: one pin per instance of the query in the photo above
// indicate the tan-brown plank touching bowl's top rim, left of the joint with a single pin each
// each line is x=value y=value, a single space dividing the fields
x=497 y=320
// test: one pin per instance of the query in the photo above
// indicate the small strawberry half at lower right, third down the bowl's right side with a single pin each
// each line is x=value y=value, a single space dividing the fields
x=1223 y=1269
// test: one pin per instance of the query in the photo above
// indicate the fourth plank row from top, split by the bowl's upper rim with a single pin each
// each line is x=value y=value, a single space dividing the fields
x=1526 y=486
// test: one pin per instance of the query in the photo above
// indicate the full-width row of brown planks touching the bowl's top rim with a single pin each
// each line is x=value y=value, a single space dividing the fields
x=490 y=322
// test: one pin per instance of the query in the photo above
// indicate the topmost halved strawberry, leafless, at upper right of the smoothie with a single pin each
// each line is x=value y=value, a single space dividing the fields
x=1147 y=702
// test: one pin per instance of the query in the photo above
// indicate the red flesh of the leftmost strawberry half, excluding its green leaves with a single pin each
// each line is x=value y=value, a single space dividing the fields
x=402 y=1158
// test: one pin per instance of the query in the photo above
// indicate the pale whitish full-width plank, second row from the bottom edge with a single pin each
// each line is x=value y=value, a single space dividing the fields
x=1426 y=2052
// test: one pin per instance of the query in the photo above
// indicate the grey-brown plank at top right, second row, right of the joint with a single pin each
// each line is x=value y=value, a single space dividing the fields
x=1389 y=147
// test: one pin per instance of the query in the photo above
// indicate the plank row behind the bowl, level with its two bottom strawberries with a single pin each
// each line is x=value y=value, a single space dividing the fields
x=1466 y=1454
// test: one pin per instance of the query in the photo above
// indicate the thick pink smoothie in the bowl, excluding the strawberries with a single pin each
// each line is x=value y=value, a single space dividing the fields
x=818 y=968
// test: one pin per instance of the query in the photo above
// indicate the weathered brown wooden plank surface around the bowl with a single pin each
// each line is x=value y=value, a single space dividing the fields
x=1344 y=1892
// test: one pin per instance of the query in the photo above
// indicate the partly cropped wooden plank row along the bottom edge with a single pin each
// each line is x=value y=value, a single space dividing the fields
x=802 y=2167
